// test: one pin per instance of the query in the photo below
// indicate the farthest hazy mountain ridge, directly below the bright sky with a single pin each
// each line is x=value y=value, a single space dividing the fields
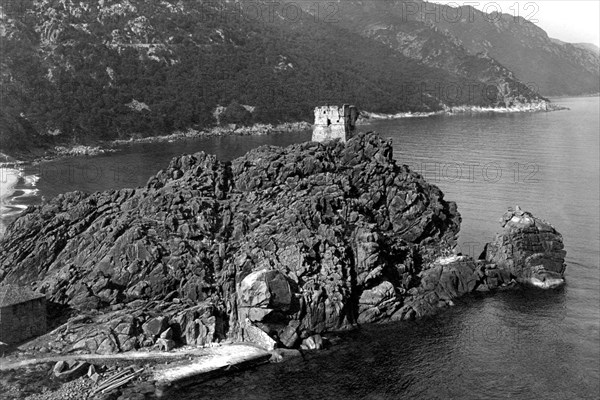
x=554 y=67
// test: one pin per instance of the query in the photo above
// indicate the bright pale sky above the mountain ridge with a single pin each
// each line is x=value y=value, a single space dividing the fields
x=569 y=21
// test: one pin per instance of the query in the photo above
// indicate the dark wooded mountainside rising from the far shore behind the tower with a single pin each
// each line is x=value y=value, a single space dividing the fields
x=78 y=71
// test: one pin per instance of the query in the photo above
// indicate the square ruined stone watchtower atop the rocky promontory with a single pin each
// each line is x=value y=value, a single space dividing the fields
x=334 y=122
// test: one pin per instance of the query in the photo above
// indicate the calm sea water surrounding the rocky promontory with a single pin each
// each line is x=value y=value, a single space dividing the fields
x=518 y=344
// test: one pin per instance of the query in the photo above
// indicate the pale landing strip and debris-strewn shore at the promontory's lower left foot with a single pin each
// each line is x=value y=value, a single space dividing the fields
x=158 y=372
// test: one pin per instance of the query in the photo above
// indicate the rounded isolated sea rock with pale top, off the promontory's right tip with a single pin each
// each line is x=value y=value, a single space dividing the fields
x=529 y=249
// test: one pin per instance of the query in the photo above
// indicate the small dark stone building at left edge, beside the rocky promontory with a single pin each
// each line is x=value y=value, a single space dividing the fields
x=22 y=314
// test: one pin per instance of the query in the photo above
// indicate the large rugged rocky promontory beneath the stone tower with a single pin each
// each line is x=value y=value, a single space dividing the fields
x=275 y=247
